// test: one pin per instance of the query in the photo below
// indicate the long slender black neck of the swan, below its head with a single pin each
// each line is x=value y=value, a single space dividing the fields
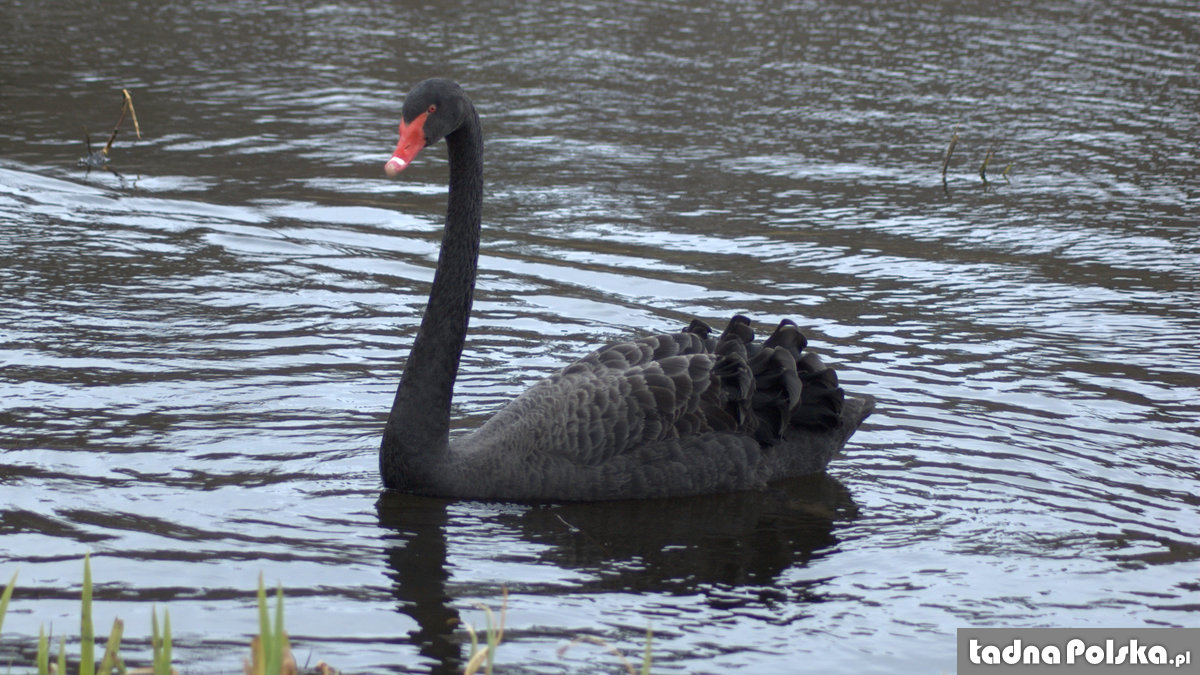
x=417 y=434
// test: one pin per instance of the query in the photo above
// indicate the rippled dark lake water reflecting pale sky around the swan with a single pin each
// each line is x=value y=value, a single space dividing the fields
x=197 y=357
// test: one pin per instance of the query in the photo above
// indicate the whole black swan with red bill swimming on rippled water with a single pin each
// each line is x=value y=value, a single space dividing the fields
x=673 y=415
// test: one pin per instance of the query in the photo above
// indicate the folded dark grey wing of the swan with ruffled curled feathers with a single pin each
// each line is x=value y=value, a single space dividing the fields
x=629 y=396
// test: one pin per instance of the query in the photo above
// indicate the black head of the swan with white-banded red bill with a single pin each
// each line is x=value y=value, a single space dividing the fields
x=434 y=110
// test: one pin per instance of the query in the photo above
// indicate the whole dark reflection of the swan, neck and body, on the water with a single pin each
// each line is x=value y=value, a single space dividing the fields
x=731 y=549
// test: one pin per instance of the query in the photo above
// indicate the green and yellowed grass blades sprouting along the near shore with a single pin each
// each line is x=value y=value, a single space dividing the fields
x=271 y=650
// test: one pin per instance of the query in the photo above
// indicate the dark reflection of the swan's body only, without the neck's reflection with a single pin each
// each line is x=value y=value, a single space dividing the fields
x=687 y=545
